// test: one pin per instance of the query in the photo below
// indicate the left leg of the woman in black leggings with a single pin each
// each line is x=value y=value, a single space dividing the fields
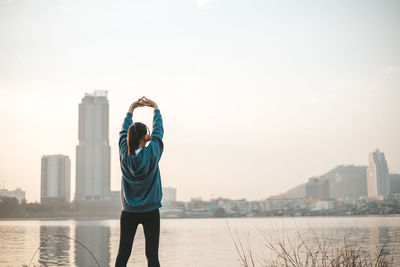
x=128 y=226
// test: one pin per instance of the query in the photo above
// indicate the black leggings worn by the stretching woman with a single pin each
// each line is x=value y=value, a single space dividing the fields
x=151 y=227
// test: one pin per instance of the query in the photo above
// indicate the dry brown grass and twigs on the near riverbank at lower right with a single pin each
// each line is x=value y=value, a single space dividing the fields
x=312 y=248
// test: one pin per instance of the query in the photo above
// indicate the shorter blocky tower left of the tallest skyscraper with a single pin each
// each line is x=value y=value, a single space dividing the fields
x=55 y=178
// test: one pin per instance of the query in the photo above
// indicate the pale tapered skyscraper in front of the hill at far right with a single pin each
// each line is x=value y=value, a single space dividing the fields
x=378 y=180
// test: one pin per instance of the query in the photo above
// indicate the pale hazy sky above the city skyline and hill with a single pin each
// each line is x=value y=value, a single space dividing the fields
x=256 y=96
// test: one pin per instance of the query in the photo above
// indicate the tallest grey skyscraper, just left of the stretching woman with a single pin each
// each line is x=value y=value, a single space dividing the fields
x=93 y=151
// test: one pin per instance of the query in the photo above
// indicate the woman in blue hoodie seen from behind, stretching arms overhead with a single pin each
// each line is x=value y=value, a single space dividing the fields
x=141 y=183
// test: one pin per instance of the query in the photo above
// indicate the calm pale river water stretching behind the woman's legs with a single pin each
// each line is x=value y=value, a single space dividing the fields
x=185 y=242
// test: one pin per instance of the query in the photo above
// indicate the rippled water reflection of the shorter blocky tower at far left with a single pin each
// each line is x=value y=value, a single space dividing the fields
x=56 y=250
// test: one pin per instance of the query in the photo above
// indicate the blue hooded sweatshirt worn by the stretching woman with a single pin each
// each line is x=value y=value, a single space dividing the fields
x=141 y=181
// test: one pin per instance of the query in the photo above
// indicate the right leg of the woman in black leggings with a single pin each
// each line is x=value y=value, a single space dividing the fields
x=151 y=228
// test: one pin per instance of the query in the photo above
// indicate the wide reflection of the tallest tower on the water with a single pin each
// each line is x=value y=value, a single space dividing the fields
x=97 y=239
